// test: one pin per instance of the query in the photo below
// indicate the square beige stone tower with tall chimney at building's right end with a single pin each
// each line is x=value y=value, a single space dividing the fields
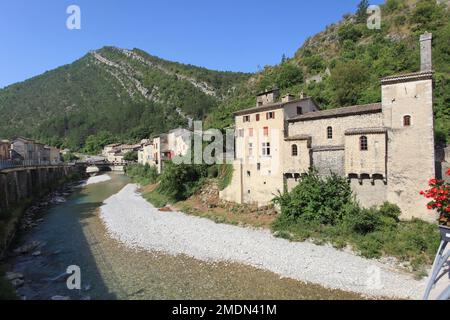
x=407 y=103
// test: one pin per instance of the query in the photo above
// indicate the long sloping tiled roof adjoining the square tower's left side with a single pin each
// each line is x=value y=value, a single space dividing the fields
x=339 y=112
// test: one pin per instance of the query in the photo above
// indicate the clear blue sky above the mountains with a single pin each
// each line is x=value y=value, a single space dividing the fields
x=236 y=35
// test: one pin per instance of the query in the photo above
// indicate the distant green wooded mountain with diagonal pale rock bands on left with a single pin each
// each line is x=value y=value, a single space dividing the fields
x=111 y=94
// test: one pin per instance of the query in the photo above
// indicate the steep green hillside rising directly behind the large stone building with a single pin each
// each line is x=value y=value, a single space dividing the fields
x=351 y=58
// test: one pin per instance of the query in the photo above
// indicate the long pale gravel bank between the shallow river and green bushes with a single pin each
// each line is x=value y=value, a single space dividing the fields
x=132 y=220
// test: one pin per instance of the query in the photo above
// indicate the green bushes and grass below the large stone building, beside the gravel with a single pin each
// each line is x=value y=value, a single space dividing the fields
x=325 y=210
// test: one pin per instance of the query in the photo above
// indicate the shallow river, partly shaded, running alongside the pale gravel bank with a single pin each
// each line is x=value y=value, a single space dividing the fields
x=72 y=233
